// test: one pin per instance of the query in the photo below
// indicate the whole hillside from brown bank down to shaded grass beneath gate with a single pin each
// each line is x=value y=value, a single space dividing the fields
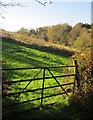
x=23 y=51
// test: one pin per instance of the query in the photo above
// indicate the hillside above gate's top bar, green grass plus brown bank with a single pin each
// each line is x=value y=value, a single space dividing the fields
x=20 y=48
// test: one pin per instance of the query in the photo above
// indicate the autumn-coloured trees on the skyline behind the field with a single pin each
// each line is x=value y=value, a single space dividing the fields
x=78 y=36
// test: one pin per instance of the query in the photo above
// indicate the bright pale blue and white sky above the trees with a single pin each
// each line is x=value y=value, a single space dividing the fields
x=35 y=15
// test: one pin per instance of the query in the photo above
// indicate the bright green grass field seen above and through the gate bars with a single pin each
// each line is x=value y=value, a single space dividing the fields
x=19 y=55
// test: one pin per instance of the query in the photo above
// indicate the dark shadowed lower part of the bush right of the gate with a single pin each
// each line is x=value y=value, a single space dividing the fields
x=83 y=102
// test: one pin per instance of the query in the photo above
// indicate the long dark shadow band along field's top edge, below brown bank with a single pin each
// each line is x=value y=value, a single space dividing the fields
x=48 y=49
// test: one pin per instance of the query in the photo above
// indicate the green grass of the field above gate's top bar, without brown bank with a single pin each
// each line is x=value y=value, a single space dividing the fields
x=17 y=54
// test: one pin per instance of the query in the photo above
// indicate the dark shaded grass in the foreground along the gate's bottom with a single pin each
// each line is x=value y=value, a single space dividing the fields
x=56 y=111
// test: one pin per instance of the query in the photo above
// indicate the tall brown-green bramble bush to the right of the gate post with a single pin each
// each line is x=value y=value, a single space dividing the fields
x=82 y=100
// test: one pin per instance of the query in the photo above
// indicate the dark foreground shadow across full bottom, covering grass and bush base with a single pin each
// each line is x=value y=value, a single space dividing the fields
x=74 y=110
